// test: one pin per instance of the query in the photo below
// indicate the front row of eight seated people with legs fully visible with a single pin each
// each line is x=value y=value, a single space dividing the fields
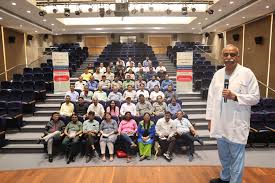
x=134 y=135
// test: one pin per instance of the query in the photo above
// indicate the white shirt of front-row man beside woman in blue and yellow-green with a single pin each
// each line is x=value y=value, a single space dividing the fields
x=164 y=128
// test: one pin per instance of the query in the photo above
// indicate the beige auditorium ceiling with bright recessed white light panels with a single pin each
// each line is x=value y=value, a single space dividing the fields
x=24 y=17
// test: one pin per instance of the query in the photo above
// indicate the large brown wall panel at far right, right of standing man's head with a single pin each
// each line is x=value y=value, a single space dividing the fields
x=256 y=55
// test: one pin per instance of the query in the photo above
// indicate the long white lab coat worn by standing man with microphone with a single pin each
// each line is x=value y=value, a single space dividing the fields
x=232 y=119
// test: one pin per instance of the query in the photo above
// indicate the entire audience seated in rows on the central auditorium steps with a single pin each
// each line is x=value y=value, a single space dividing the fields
x=105 y=108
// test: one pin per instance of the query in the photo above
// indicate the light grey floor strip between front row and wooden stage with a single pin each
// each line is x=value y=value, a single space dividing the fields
x=255 y=157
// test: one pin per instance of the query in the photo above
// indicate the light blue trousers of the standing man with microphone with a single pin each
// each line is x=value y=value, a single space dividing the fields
x=232 y=159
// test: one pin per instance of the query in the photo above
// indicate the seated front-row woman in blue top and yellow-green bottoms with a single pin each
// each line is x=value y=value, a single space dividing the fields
x=146 y=133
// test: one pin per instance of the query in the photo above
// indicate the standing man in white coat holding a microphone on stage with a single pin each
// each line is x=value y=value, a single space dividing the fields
x=228 y=112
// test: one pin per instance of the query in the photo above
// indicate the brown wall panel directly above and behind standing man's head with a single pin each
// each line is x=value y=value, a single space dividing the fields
x=239 y=43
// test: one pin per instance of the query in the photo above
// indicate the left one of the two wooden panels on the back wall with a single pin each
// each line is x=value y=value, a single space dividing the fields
x=96 y=44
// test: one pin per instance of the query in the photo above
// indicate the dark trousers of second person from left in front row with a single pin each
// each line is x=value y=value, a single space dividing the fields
x=70 y=145
